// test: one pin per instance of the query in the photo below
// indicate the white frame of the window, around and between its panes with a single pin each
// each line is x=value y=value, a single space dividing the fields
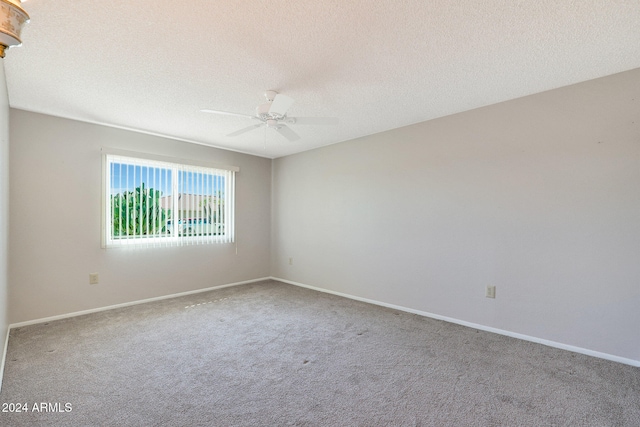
x=176 y=166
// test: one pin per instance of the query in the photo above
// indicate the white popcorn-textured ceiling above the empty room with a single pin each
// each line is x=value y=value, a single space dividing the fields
x=151 y=65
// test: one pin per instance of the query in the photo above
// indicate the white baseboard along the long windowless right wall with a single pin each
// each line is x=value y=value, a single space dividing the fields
x=562 y=346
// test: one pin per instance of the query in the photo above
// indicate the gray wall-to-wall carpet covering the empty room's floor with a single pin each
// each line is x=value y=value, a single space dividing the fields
x=271 y=354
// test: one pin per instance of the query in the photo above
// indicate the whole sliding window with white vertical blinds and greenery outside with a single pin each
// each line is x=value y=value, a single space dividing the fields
x=162 y=203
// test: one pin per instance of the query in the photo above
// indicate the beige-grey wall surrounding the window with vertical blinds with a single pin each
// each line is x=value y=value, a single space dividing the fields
x=55 y=195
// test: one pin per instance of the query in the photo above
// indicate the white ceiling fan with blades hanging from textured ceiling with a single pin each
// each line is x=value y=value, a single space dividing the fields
x=273 y=114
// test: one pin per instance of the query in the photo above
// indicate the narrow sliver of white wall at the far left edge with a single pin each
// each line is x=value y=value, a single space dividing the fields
x=4 y=212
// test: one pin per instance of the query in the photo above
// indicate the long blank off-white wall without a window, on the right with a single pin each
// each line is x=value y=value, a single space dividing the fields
x=539 y=196
